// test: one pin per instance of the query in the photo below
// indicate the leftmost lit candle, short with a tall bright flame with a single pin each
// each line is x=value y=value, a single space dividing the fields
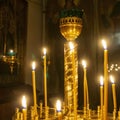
x=24 y=110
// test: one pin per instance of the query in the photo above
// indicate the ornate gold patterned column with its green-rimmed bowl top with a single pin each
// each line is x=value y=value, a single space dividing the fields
x=70 y=28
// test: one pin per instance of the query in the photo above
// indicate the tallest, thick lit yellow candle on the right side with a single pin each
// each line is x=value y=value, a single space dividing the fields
x=105 y=79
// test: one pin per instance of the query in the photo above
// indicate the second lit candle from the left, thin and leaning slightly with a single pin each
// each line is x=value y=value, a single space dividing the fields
x=34 y=86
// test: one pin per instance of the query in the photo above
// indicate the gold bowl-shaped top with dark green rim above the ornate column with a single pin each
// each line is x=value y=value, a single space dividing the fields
x=70 y=21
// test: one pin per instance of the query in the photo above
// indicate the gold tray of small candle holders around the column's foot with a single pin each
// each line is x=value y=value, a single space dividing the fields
x=65 y=114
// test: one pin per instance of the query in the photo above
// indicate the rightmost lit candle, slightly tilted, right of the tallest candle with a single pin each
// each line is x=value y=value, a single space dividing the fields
x=113 y=92
